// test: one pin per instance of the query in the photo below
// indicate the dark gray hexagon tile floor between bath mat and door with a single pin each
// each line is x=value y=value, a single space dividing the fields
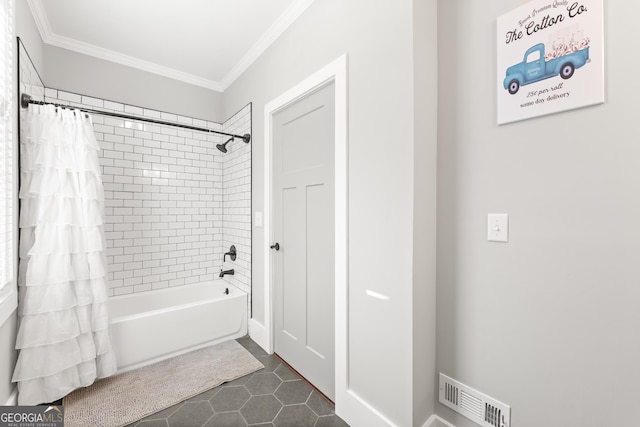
x=273 y=396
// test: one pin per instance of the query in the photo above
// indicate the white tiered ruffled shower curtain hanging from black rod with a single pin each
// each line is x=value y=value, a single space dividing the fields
x=63 y=333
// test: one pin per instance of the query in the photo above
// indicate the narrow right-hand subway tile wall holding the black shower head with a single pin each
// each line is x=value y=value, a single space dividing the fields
x=236 y=200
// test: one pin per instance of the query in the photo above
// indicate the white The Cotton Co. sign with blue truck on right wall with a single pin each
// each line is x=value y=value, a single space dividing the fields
x=550 y=58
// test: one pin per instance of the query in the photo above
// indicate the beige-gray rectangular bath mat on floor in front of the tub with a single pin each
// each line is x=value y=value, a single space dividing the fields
x=128 y=397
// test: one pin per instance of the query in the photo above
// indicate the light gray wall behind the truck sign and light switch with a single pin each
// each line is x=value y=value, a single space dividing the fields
x=548 y=322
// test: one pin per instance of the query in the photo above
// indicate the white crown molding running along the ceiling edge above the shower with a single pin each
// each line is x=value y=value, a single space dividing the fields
x=282 y=23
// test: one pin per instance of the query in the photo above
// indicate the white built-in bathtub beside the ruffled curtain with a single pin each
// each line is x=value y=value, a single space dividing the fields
x=151 y=326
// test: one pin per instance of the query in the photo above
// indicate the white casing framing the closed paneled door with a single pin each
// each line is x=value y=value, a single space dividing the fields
x=336 y=73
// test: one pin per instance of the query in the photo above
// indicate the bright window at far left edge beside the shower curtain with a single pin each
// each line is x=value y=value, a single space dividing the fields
x=7 y=297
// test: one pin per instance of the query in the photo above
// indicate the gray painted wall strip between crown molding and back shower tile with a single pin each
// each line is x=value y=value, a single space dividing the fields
x=87 y=75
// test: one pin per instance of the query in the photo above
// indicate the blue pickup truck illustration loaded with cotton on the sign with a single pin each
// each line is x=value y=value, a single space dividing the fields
x=535 y=67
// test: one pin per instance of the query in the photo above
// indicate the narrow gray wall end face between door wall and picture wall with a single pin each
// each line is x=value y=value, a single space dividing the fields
x=424 y=213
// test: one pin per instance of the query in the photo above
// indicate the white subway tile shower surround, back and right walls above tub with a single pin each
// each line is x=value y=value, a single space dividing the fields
x=173 y=203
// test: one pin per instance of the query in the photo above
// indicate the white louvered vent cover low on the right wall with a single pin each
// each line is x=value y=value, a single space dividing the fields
x=476 y=406
